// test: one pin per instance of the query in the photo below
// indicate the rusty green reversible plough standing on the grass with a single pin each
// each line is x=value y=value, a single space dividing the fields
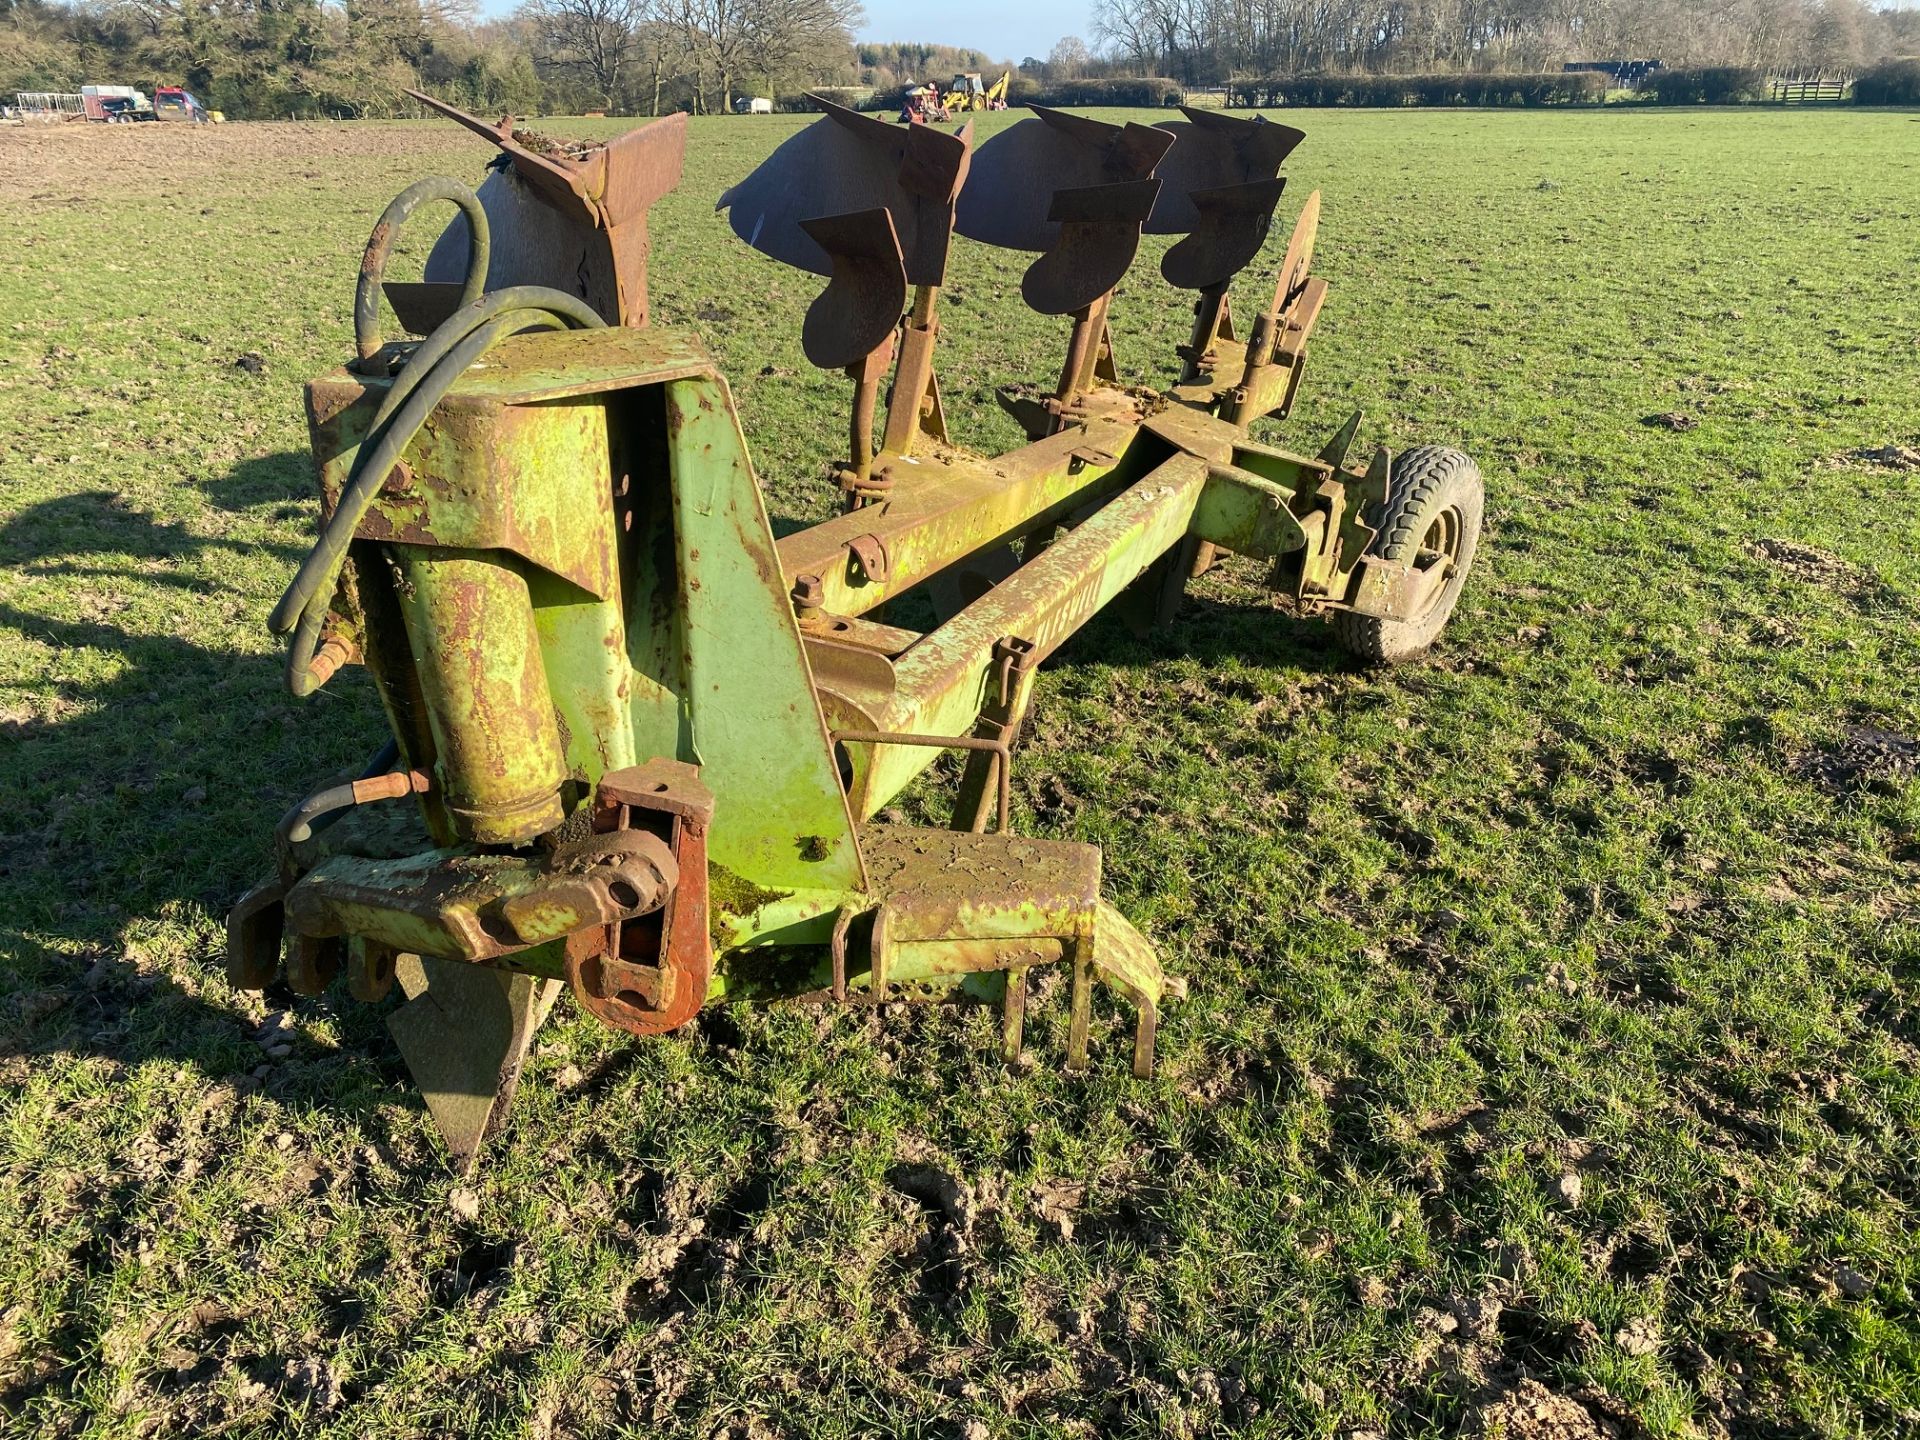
x=638 y=746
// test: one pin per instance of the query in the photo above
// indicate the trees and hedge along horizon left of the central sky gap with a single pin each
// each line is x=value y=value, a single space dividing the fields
x=350 y=59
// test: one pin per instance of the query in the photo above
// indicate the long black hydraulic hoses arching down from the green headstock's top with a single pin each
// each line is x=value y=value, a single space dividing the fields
x=425 y=381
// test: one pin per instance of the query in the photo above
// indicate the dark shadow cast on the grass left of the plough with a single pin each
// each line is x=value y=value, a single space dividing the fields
x=145 y=788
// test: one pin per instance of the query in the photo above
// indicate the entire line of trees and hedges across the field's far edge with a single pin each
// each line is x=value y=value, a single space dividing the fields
x=352 y=59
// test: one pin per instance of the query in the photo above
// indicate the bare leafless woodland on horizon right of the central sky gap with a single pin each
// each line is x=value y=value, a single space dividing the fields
x=1220 y=41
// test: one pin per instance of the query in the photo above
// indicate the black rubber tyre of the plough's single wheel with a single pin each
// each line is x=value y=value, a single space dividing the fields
x=1435 y=500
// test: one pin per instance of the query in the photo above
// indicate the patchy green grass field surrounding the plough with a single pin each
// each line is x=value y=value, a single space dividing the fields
x=1552 y=1065
